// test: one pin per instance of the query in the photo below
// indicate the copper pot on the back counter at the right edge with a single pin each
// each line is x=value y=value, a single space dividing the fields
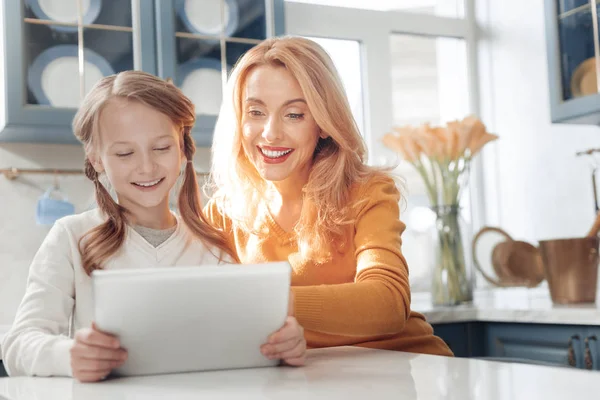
x=571 y=268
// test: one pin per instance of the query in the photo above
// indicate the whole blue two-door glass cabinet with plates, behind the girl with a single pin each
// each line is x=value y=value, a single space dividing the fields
x=51 y=60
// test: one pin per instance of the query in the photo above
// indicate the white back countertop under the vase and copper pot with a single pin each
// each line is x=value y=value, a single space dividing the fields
x=510 y=305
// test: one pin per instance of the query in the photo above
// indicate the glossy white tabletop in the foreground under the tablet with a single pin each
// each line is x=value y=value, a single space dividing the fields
x=334 y=373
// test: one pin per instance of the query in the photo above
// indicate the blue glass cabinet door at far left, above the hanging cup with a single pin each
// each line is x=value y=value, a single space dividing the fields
x=55 y=52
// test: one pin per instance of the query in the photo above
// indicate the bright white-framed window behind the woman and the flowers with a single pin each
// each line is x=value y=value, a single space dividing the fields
x=415 y=67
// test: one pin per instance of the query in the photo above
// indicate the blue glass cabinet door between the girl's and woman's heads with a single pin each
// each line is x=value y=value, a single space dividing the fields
x=200 y=42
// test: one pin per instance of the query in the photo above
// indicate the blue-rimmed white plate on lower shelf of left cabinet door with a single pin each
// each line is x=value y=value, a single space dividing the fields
x=53 y=77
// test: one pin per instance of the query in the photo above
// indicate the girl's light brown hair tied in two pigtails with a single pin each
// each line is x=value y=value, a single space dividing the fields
x=101 y=242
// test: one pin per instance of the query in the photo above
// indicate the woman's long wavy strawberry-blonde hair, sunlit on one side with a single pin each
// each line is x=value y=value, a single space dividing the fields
x=339 y=161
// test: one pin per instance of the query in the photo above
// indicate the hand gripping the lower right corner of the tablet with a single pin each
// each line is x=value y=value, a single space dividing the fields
x=288 y=343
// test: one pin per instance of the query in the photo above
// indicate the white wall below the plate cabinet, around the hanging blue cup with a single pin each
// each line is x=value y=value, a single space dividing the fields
x=20 y=237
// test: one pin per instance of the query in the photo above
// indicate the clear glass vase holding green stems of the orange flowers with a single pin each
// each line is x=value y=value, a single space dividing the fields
x=451 y=283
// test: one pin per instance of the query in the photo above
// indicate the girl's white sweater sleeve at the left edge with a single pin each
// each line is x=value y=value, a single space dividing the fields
x=37 y=343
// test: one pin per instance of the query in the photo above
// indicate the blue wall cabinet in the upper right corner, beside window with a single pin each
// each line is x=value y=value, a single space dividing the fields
x=572 y=54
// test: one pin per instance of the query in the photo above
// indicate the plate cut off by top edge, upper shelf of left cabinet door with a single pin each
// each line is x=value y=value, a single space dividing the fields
x=65 y=11
